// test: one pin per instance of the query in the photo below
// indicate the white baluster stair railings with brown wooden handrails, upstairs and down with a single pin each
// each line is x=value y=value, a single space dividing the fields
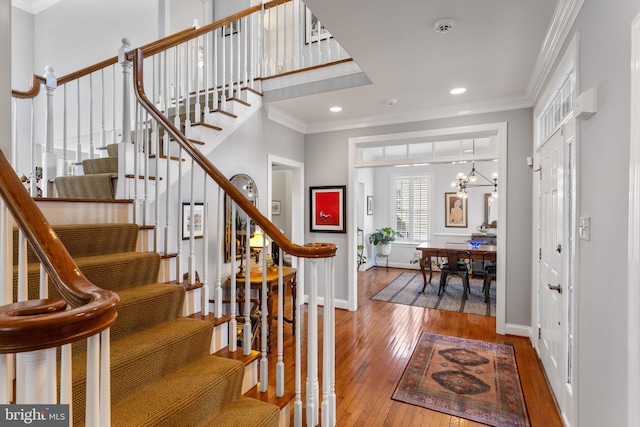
x=169 y=91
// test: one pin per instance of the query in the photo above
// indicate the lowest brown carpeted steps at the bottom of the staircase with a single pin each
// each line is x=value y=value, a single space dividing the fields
x=200 y=393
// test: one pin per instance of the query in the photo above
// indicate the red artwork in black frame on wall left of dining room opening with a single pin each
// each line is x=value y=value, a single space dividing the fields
x=328 y=209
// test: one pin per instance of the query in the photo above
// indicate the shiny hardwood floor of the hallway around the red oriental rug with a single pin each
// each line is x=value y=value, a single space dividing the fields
x=374 y=344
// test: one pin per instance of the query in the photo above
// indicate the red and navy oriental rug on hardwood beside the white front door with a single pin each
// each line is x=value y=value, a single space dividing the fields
x=471 y=379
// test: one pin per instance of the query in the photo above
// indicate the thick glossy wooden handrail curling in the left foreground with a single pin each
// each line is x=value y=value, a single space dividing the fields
x=39 y=324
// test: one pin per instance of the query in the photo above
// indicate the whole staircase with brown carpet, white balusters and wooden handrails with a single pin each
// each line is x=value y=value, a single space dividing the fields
x=151 y=365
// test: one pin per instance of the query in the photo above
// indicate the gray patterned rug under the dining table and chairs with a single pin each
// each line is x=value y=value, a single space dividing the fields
x=406 y=289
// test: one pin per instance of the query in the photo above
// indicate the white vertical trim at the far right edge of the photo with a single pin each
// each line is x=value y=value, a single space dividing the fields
x=633 y=327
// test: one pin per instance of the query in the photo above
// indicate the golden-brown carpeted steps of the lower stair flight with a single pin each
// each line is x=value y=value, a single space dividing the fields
x=162 y=370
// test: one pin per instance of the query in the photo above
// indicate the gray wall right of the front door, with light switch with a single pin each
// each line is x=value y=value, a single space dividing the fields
x=603 y=186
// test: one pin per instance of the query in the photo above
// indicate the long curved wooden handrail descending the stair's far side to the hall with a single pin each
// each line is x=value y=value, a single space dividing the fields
x=316 y=250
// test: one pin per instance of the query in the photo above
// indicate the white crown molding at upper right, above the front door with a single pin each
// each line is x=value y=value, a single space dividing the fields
x=564 y=16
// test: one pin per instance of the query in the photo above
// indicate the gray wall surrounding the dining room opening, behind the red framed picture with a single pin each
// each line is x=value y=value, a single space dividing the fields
x=326 y=163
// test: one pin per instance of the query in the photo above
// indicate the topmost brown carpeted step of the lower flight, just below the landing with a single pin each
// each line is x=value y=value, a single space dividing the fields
x=83 y=240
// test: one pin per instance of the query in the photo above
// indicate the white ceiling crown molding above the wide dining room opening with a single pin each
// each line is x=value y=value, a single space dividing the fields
x=457 y=110
